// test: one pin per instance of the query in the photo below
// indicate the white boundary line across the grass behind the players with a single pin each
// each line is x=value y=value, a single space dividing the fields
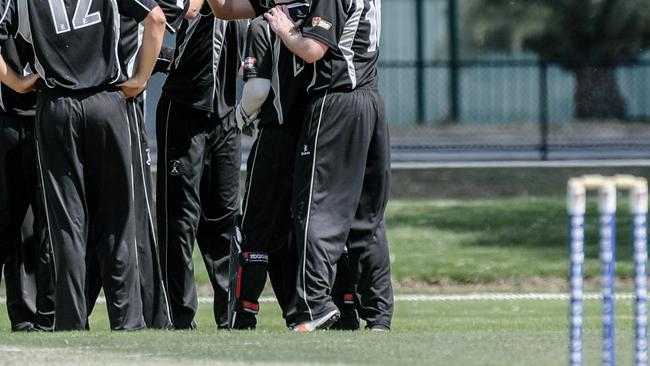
x=450 y=298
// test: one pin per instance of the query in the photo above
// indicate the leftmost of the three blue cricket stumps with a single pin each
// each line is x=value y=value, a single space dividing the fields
x=577 y=207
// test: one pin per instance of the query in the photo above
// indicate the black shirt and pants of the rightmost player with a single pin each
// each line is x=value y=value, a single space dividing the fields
x=342 y=167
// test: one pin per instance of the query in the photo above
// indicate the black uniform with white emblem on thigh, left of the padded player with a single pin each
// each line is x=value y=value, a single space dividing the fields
x=198 y=162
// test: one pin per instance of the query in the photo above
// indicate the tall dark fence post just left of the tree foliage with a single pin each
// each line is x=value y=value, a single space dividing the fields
x=454 y=85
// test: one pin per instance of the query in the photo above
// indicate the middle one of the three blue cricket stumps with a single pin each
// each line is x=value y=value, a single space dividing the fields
x=607 y=228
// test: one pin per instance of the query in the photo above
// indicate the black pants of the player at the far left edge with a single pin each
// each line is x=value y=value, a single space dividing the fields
x=23 y=252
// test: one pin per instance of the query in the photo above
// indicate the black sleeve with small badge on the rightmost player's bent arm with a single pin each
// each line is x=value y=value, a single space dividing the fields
x=326 y=21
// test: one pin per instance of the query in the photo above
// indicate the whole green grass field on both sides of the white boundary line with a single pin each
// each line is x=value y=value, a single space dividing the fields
x=516 y=244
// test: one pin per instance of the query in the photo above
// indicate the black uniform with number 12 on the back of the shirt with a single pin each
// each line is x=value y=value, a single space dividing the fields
x=85 y=161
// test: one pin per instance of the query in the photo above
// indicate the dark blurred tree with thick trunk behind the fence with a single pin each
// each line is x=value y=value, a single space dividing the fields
x=587 y=37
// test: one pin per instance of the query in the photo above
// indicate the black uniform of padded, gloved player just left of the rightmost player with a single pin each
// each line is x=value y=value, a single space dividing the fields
x=266 y=224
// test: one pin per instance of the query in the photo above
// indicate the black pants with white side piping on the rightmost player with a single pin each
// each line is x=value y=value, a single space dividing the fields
x=342 y=176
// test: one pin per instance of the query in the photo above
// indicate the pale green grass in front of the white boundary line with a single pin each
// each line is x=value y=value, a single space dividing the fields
x=434 y=333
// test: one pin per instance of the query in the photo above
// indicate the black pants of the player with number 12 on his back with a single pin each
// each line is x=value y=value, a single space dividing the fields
x=85 y=158
